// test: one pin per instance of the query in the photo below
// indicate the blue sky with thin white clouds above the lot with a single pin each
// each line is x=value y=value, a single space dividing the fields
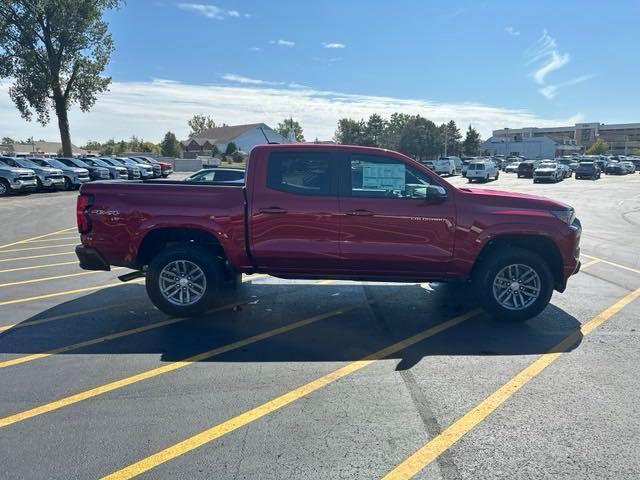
x=489 y=63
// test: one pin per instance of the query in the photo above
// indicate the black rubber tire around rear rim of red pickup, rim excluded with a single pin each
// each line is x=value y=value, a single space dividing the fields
x=202 y=258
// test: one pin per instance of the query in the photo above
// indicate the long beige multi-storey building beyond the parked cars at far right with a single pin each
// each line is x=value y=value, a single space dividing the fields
x=623 y=138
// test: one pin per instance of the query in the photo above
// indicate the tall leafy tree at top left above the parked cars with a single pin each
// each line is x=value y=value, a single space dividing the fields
x=55 y=52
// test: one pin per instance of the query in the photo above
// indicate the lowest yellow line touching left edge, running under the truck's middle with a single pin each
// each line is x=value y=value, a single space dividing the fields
x=170 y=367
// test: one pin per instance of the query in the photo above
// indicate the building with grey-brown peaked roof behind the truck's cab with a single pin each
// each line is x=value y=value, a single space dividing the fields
x=245 y=137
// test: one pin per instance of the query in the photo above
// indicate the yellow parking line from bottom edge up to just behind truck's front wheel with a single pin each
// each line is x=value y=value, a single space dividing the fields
x=277 y=403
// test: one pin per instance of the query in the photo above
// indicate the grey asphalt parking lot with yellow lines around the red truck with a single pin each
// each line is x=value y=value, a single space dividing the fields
x=322 y=379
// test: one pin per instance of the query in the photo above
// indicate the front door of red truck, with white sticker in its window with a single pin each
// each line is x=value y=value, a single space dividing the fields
x=388 y=226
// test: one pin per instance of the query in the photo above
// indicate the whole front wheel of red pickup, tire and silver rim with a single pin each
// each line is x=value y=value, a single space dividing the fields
x=514 y=284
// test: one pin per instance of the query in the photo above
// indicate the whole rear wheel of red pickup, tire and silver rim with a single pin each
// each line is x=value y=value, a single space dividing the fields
x=185 y=280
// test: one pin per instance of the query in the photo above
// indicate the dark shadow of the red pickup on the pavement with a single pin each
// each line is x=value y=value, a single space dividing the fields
x=372 y=317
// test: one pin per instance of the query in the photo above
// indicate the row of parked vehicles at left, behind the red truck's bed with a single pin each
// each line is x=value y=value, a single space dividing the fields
x=19 y=175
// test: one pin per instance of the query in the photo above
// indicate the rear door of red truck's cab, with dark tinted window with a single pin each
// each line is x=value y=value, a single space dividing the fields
x=294 y=211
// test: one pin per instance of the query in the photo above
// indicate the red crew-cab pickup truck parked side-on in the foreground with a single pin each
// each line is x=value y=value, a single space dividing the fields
x=329 y=211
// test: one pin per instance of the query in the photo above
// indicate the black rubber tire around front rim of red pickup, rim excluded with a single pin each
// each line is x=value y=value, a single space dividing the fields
x=490 y=267
